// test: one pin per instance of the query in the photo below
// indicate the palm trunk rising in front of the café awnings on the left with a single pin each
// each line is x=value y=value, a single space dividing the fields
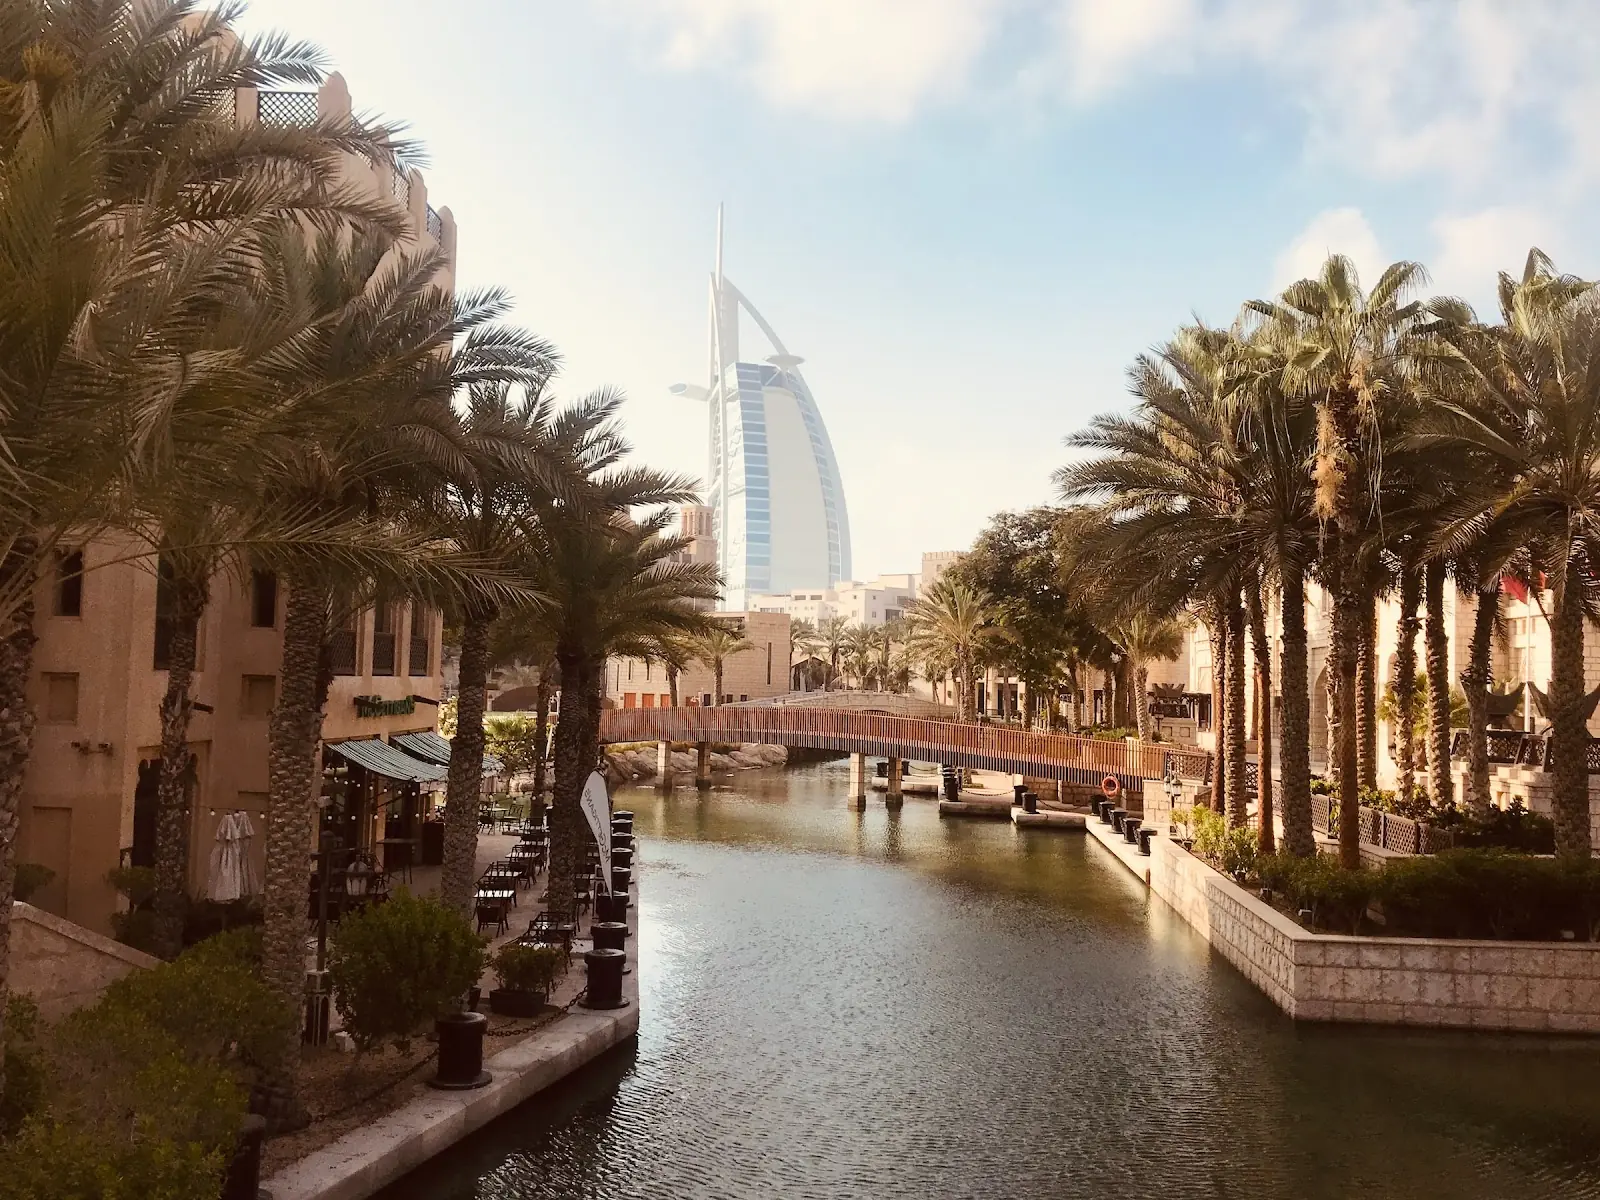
x=466 y=766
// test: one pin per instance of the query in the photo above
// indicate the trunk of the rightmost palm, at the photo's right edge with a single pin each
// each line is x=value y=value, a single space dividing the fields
x=1569 y=710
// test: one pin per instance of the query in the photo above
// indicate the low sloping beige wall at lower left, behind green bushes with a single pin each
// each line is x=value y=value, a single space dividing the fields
x=62 y=966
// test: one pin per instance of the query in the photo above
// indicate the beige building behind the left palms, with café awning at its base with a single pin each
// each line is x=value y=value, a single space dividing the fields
x=100 y=673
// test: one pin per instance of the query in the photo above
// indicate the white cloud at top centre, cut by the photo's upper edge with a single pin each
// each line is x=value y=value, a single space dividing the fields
x=854 y=60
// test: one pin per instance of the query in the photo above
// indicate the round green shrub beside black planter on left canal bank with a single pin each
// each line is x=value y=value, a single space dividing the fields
x=396 y=967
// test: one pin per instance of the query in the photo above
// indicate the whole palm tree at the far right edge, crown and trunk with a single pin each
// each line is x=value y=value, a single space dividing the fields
x=1537 y=382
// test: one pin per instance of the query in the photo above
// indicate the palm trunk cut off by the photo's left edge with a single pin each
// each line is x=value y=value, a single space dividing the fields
x=17 y=743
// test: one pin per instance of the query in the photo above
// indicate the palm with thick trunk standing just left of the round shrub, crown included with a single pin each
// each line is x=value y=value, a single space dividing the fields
x=385 y=350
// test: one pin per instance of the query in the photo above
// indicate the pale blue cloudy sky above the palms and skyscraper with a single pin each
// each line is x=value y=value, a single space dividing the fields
x=967 y=215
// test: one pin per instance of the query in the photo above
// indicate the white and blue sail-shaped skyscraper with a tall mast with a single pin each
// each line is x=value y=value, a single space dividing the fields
x=774 y=484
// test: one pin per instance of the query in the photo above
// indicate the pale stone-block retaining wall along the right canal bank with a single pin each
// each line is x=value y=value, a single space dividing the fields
x=1410 y=982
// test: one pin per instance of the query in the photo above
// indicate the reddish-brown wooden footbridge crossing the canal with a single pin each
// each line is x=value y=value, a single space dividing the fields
x=935 y=740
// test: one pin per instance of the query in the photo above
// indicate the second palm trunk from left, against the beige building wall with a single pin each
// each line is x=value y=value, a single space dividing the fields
x=174 y=791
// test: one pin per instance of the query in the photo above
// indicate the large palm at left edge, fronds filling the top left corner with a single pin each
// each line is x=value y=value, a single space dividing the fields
x=132 y=206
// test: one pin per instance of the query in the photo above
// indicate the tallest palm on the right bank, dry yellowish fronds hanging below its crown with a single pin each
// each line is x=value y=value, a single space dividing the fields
x=1345 y=351
